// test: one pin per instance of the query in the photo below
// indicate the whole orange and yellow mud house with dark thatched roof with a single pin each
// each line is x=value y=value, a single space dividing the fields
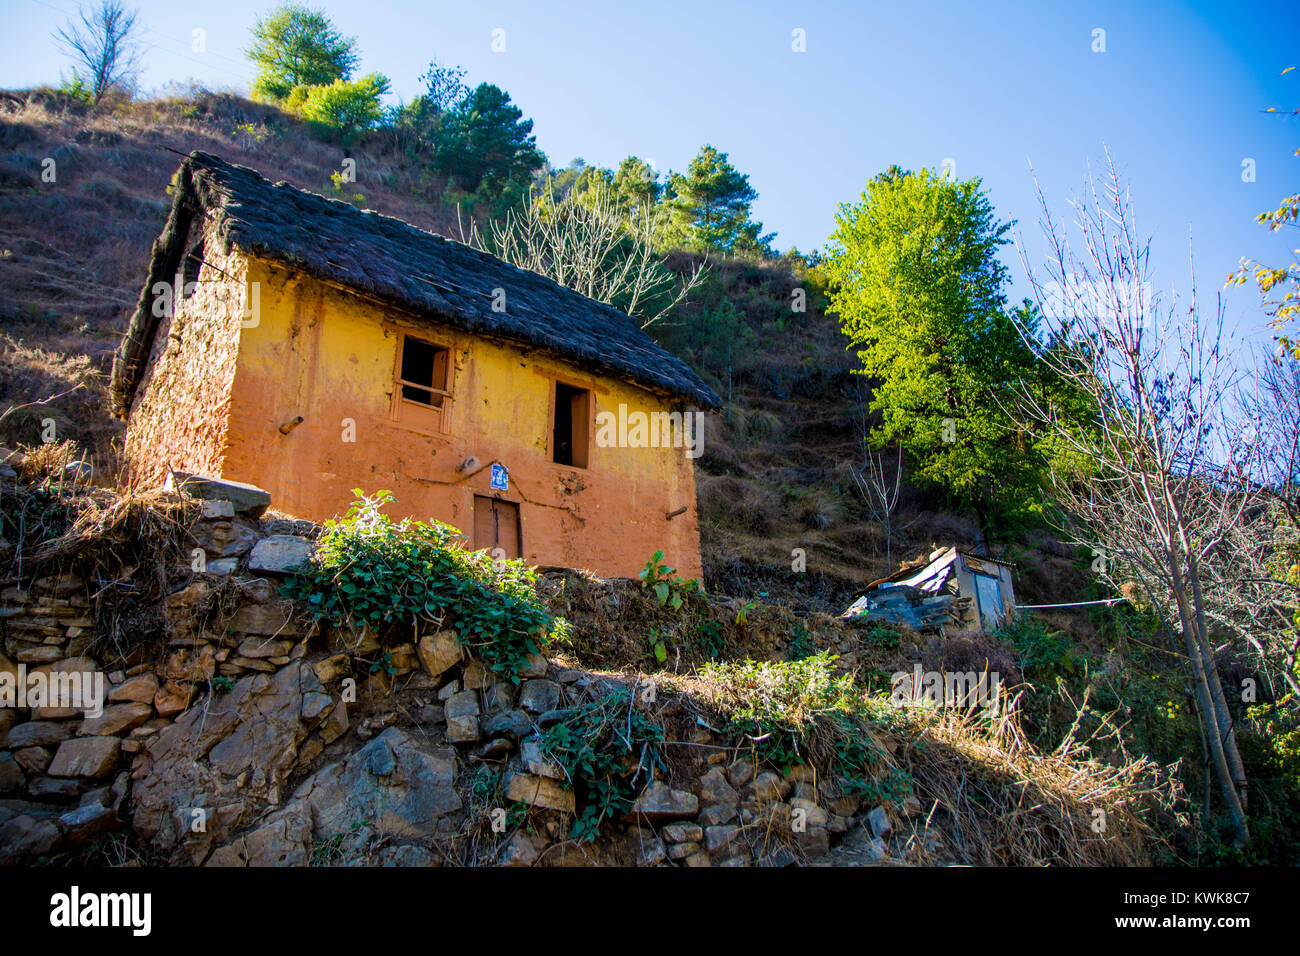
x=298 y=344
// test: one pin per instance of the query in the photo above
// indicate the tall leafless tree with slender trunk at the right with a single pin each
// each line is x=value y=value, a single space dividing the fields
x=1149 y=482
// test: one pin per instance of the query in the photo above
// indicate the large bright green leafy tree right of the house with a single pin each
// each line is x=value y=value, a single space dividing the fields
x=916 y=280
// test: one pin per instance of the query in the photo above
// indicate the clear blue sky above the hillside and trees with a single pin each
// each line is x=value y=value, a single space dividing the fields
x=1178 y=96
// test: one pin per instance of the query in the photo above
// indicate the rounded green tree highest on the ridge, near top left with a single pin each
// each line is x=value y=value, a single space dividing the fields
x=296 y=46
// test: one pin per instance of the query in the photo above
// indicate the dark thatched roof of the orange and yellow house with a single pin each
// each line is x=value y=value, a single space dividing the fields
x=393 y=262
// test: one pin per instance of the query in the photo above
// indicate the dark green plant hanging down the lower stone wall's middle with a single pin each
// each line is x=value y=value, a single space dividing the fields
x=604 y=749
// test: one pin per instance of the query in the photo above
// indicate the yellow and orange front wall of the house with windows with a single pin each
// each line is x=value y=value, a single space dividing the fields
x=330 y=357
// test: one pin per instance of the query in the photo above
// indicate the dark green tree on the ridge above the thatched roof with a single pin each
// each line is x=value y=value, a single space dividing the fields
x=487 y=142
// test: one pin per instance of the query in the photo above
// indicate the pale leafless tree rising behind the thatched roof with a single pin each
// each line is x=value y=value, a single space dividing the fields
x=590 y=244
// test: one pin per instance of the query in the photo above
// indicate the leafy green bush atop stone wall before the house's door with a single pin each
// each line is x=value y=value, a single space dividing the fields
x=374 y=572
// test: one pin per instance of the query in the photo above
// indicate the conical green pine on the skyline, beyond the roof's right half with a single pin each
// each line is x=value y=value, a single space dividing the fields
x=712 y=206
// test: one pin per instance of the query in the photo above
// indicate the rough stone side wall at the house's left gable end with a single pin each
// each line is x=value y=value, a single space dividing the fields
x=180 y=413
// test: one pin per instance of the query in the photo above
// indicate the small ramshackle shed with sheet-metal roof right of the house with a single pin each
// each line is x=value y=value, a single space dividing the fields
x=952 y=587
